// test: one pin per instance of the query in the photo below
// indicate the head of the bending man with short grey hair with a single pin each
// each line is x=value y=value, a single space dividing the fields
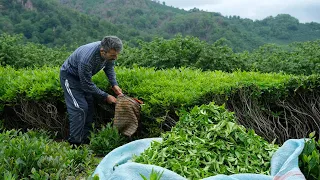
x=111 y=46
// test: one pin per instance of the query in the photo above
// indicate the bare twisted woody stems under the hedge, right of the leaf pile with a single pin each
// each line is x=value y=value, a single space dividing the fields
x=294 y=117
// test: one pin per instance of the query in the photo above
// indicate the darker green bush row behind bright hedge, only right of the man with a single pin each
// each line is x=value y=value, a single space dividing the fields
x=301 y=58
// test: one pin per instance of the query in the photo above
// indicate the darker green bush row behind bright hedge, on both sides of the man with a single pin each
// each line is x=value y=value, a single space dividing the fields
x=297 y=58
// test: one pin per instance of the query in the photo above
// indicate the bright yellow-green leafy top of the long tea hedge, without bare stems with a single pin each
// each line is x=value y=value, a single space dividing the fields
x=163 y=91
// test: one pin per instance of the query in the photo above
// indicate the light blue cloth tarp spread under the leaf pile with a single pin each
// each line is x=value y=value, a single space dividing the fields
x=117 y=165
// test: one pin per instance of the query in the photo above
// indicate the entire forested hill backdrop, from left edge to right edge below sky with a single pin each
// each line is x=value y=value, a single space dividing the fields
x=58 y=22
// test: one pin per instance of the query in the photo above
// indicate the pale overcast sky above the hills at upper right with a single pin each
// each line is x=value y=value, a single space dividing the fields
x=304 y=10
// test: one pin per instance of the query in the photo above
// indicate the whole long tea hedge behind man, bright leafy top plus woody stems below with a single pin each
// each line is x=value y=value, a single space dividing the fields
x=166 y=91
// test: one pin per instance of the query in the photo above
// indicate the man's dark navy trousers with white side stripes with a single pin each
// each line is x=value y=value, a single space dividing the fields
x=79 y=106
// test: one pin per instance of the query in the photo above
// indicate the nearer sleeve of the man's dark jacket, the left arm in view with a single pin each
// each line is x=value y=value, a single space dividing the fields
x=85 y=75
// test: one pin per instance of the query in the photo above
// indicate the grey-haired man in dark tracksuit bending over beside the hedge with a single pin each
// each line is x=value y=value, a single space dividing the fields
x=76 y=80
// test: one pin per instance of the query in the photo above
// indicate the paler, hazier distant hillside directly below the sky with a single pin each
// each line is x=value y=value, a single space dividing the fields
x=160 y=20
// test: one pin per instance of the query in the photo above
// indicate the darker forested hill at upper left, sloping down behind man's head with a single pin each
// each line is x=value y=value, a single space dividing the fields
x=48 y=22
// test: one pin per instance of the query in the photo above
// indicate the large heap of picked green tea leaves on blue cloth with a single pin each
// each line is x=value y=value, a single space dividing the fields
x=207 y=141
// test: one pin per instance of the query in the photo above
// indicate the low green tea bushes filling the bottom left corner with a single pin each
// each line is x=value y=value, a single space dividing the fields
x=35 y=155
